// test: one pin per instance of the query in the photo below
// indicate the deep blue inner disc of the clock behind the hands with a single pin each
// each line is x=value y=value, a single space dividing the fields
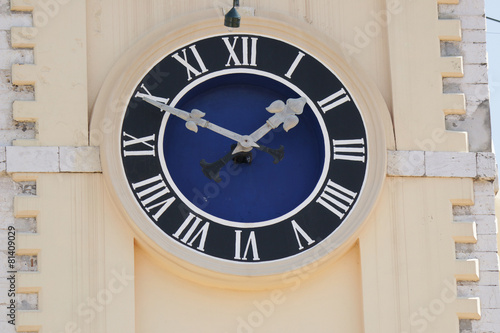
x=247 y=192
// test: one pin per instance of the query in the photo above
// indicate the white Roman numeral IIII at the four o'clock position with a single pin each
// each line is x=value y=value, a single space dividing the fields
x=336 y=199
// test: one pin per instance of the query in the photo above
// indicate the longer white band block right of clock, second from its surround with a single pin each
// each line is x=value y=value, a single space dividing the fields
x=450 y=164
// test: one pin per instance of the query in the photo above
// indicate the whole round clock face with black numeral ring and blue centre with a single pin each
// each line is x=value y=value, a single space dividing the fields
x=244 y=149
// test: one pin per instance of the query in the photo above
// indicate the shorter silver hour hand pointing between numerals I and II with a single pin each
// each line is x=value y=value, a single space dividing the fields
x=284 y=114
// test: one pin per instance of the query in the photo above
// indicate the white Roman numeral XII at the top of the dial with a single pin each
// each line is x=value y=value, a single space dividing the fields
x=244 y=55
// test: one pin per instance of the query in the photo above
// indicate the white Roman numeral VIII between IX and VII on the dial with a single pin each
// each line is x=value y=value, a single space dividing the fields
x=154 y=195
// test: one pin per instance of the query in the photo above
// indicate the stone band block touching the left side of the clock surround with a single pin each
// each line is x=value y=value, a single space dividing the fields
x=80 y=159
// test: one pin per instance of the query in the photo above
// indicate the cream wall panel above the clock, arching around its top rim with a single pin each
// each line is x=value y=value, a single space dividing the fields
x=113 y=26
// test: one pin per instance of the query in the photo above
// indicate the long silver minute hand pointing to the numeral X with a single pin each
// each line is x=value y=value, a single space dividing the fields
x=195 y=118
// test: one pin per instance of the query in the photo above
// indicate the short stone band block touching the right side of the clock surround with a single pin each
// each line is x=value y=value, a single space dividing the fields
x=405 y=163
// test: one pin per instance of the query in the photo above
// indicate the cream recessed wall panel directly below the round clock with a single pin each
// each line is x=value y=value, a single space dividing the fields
x=324 y=300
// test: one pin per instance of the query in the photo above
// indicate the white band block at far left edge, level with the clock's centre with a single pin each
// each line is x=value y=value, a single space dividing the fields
x=32 y=159
